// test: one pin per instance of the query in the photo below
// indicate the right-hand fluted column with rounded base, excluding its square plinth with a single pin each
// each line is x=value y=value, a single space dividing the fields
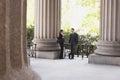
x=109 y=43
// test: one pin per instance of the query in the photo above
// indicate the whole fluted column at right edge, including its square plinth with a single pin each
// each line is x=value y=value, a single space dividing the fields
x=108 y=51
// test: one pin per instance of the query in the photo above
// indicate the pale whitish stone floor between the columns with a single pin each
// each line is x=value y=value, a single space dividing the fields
x=76 y=69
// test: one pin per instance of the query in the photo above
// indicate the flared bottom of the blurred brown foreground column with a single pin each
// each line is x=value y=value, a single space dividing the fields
x=23 y=74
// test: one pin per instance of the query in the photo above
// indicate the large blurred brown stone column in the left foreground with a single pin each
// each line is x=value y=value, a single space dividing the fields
x=13 y=55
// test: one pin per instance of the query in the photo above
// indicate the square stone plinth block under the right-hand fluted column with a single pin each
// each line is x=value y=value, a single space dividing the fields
x=101 y=59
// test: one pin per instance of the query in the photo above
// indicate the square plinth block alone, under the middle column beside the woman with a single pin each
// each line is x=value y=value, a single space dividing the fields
x=48 y=54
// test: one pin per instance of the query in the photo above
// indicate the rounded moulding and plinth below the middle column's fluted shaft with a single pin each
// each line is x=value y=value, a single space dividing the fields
x=47 y=48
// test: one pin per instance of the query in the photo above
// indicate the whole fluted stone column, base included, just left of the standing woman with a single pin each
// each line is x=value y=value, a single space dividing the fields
x=47 y=26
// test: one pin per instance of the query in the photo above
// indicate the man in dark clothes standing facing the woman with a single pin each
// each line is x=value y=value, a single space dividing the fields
x=73 y=40
